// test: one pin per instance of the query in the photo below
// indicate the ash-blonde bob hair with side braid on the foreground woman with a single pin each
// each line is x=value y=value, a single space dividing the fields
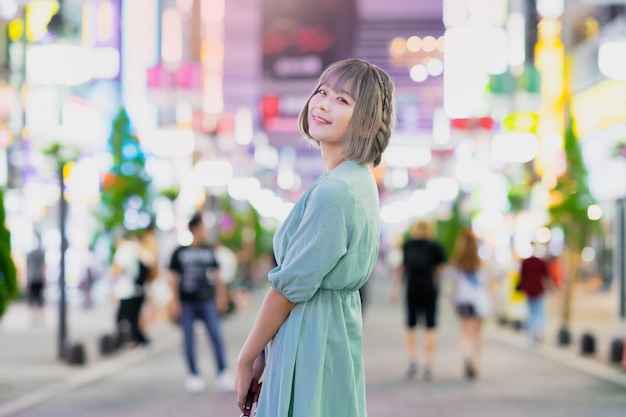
x=374 y=114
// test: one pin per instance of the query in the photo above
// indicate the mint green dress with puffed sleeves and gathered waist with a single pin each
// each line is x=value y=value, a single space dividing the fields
x=325 y=251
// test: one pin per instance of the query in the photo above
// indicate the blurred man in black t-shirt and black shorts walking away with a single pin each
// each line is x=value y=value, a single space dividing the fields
x=422 y=261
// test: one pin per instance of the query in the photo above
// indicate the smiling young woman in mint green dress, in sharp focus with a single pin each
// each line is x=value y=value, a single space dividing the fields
x=307 y=336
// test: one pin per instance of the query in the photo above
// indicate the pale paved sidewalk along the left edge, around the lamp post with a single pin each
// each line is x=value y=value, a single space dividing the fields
x=29 y=365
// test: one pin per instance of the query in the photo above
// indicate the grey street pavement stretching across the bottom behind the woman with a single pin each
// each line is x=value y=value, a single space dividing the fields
x=517 y=380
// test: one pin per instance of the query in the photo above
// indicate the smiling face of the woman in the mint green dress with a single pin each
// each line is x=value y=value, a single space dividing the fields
x=329 y=114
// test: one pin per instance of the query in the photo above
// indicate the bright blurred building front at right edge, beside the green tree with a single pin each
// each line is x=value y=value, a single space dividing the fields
x=598 y=86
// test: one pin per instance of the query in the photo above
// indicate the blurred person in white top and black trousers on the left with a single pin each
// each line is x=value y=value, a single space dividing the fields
x=130 y=271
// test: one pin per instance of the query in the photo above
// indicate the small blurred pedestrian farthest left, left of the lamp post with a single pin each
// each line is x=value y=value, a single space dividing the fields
x=36 y=281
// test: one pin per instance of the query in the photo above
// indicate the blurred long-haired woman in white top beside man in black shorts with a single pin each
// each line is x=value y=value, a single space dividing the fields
x=472 y=298
